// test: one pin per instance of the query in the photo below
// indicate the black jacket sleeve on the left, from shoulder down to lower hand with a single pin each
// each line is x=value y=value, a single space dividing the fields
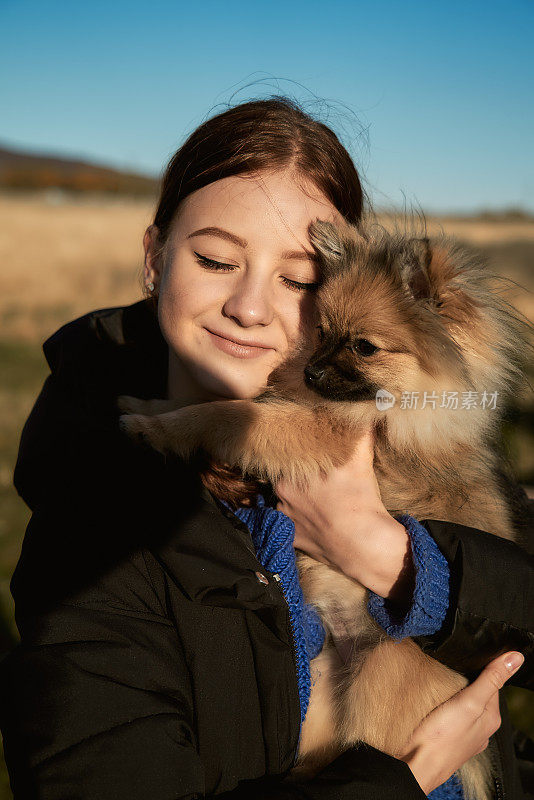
x=96 y=700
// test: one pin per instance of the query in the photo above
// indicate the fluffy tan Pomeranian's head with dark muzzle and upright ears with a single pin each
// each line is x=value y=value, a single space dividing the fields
x=385 y=317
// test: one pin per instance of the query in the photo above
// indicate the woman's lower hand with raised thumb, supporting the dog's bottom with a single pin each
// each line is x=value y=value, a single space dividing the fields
x=460 y=728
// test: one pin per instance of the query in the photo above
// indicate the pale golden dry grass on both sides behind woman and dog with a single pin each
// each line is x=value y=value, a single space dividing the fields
x=60 y=259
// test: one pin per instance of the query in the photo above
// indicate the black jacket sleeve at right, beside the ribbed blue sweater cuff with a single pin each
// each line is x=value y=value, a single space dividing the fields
x=491 y=600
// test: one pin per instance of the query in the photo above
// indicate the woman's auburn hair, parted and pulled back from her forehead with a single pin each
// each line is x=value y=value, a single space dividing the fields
x=266 y=134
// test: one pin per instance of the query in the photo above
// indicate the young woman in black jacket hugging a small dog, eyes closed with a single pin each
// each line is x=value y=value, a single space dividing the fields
x=157 y=655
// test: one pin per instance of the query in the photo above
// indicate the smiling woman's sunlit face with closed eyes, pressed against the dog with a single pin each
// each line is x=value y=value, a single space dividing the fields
x=236 y=283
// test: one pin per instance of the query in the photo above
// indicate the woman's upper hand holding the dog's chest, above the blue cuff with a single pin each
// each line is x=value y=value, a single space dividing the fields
x=341 y=520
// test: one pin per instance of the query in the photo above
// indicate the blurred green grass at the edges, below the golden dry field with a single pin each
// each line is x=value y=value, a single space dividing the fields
x=24 y=369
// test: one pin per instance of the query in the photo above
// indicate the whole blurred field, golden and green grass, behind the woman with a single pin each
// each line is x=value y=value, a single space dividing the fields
x=61 y=258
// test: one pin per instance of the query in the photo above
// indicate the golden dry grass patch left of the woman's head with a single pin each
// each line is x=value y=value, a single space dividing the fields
x=60 y=260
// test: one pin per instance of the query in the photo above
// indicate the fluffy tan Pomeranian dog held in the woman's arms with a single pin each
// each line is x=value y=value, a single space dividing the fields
x=422 y=320
